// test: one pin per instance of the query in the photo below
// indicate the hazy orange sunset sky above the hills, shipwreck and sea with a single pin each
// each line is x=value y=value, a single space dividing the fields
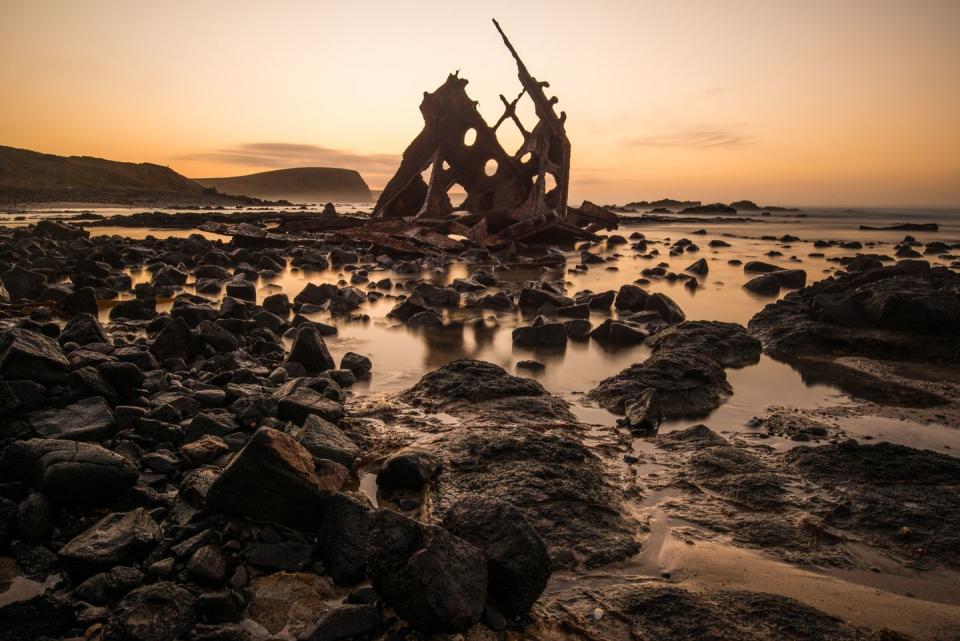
x=841 y=102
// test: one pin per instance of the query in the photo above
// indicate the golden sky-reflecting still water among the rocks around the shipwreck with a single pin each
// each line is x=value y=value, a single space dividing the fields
x=402 y=355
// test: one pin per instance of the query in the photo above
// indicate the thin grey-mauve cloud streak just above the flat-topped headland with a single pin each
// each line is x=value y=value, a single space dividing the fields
x=281 y=155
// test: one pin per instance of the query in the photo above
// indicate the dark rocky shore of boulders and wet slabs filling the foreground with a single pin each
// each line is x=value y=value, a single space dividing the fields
x=191 y=464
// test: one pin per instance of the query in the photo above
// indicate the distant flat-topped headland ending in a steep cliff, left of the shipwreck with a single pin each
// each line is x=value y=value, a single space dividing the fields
x=298 y=184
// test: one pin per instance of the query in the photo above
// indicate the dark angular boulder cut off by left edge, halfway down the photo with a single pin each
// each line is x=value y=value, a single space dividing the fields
x=31 y=356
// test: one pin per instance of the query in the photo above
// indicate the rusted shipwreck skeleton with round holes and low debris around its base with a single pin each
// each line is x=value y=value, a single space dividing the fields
x=518 y=197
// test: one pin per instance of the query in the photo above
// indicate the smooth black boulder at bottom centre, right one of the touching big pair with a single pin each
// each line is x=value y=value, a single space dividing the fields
x=518 y=565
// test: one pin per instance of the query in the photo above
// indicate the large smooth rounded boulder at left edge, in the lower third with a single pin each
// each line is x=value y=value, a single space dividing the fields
x=69 y=472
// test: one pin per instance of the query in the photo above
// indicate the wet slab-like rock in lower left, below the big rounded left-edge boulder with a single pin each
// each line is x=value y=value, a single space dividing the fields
x=116 y=539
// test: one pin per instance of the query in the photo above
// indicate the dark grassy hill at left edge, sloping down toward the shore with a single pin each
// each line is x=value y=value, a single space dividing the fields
x=30 y=176
